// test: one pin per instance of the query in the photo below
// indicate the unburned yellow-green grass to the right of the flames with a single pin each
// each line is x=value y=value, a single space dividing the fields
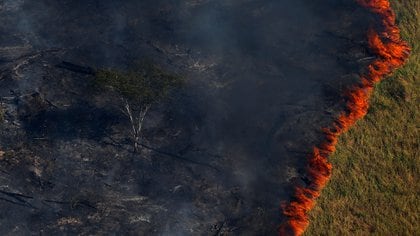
x=374 y=189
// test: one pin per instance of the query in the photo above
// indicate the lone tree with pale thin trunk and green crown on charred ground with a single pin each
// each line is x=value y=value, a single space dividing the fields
x=139 y=88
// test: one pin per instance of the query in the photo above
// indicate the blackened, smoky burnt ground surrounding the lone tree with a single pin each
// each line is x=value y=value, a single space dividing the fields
x=218 y=156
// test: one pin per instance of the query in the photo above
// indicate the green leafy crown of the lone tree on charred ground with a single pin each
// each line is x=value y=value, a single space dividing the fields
x=143 y=84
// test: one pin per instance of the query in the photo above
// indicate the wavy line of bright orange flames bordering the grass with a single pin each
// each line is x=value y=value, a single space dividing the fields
x=391 y=52
